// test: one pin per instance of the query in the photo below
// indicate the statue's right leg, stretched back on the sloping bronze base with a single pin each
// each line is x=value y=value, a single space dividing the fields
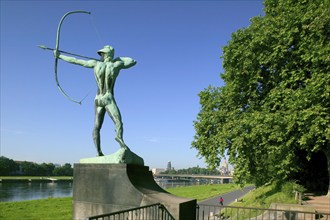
x=115 y=115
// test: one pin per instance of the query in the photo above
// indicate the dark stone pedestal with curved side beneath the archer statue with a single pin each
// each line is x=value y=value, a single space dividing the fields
x=105 y=188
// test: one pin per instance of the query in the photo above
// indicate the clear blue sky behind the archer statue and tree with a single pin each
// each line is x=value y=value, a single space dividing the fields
x=177 y=45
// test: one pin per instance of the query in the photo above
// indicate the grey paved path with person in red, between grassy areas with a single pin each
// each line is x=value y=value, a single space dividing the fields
x=227 y=197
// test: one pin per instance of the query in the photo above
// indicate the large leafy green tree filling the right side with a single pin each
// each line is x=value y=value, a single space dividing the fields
x=275 y=101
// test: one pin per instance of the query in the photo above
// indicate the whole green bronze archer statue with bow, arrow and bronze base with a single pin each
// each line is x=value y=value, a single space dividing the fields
x=106 y=71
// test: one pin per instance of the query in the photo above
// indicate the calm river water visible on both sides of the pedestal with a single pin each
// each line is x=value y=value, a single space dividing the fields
x=19 y=191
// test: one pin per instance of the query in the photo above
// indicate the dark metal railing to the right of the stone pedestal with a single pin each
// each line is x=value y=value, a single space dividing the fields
x=211 y=212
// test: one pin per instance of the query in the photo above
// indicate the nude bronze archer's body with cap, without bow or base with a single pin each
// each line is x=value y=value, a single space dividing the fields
x=106 y=70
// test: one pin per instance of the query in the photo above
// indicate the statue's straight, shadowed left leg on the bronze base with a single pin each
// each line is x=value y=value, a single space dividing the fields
x=99 y=117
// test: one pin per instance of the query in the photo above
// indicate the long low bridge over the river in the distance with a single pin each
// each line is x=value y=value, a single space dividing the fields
x=193 y=178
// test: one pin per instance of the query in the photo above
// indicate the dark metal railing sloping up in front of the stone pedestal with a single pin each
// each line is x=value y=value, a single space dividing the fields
x=148 y=212
